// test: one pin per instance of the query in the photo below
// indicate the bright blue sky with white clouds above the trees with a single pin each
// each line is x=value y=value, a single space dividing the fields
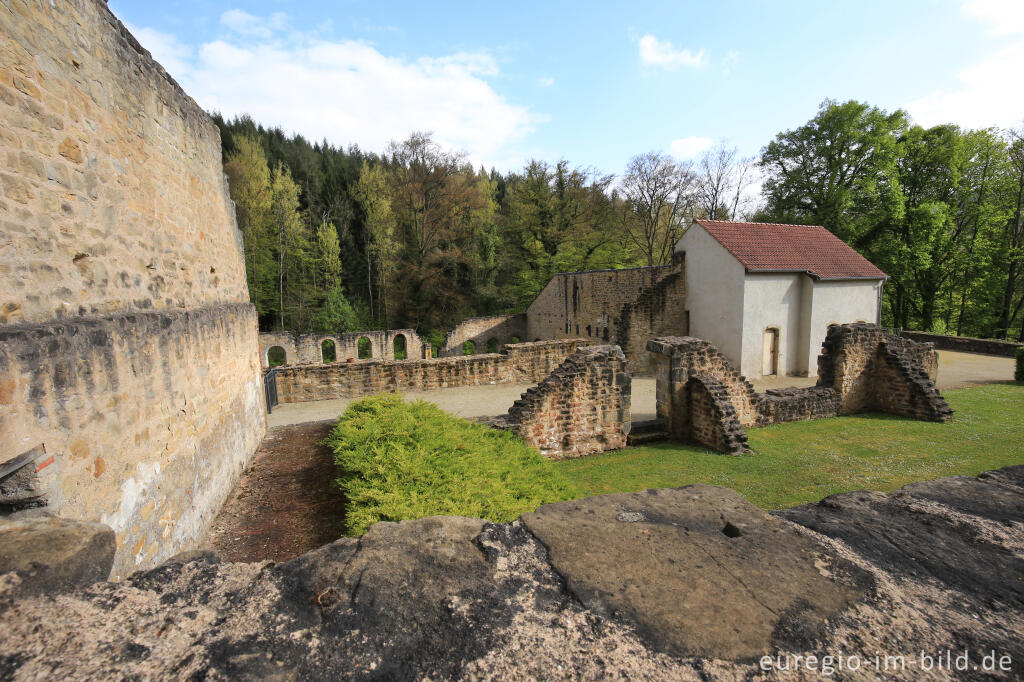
x=595 y=82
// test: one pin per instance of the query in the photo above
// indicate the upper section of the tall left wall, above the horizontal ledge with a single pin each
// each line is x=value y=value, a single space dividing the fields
x=113 y=194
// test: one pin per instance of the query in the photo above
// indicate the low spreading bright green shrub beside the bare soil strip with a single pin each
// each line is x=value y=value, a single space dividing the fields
x=401 y=460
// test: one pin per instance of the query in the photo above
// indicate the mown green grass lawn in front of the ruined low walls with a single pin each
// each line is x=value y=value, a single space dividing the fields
x=803 y=462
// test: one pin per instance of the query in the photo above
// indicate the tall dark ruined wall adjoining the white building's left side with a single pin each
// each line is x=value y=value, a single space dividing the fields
x=624 y=308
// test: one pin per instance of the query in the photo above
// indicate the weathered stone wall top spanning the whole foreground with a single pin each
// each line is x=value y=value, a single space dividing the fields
x=686 y=584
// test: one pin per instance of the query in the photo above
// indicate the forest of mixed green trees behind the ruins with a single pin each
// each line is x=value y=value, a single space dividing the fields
x=343 y=240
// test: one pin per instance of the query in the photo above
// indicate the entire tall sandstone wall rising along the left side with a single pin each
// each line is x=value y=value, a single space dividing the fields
x=130 y=361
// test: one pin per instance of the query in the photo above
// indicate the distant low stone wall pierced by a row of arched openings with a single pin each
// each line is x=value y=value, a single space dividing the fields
x=309 y=349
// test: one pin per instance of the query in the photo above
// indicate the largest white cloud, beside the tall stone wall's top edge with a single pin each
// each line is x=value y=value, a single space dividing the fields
x=347 y=92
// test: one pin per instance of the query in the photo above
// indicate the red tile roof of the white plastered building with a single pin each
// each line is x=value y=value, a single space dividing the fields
x=771 y=247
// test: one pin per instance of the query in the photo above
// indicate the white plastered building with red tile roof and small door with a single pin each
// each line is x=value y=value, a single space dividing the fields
x=765 y=294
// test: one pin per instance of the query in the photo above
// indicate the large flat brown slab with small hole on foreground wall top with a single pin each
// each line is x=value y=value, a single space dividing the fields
x=699 y=570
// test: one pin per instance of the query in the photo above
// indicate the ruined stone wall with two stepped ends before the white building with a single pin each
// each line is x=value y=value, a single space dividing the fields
x=701 y=397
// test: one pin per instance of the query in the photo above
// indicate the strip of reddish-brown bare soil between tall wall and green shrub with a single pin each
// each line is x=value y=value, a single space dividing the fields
x=285 y=503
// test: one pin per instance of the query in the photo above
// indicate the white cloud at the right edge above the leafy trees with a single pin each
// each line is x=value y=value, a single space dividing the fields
x=988 y=95
